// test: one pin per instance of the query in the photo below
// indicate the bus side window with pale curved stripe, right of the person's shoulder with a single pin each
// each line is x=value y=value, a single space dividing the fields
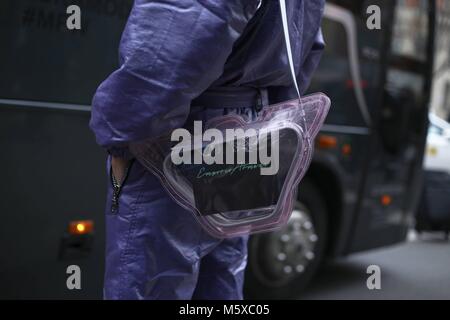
x=349 y=71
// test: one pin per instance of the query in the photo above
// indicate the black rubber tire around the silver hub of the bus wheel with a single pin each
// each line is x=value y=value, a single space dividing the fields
x=259 y=283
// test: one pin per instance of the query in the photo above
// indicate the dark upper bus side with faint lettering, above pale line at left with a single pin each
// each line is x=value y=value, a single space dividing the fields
x=46 y=61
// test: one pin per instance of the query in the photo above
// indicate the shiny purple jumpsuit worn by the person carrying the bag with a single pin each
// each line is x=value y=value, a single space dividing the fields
x=181 y=60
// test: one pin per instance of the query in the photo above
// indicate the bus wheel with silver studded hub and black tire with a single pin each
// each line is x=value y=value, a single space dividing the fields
x=282 y=263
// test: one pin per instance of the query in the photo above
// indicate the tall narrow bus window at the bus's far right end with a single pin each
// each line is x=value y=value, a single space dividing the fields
x=404 y=104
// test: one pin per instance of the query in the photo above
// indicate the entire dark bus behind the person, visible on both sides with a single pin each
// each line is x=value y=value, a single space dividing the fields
x=359 y=193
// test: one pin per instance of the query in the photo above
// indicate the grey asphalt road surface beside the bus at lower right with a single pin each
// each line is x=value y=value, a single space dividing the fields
x=417 y=269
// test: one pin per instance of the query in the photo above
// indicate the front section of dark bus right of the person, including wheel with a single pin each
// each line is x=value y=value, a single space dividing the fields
x=364 y=183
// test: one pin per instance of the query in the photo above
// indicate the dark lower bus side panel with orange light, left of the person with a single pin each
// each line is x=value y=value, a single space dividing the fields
x=53 y=173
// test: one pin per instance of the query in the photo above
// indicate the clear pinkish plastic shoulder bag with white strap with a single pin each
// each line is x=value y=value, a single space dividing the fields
x=238 y=175
